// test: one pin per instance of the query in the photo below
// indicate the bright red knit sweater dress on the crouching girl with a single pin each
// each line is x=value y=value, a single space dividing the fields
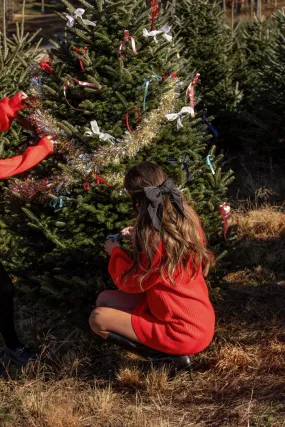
x=172 y=319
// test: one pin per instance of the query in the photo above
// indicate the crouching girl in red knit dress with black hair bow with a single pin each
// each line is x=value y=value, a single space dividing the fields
x=162 y=310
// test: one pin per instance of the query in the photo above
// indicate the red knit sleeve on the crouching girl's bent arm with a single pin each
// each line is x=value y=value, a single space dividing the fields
x=120 y=263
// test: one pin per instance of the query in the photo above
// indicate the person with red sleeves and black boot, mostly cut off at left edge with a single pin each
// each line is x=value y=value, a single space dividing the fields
x=15 y=351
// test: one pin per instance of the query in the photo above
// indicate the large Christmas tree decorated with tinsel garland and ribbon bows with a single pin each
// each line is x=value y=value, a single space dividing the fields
x=113 y=93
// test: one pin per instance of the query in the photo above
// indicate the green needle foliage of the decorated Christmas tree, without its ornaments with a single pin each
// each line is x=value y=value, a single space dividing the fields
x=60 y=252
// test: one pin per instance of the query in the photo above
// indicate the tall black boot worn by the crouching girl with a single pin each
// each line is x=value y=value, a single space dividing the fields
x=177 y=362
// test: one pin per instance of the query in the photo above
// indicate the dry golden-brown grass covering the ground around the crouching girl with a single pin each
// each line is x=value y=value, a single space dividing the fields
x=238 y=381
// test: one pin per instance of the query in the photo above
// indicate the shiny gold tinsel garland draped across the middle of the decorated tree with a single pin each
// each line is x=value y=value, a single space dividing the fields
x=95 y=162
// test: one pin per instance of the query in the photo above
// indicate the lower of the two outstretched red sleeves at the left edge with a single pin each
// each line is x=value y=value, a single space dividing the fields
x=31 y=157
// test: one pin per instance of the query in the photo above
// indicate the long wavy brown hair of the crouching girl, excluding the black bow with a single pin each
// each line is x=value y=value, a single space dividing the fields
x=183 y=240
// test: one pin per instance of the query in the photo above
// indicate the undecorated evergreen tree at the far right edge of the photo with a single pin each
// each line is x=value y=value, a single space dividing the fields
x=256 y=130
